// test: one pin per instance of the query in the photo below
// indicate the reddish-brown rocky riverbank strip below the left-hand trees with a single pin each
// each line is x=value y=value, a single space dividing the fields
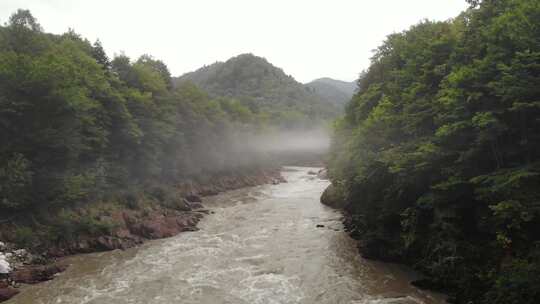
x=132 y=228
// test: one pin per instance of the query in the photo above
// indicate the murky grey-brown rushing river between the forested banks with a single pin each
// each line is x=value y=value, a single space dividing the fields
x=261 y=246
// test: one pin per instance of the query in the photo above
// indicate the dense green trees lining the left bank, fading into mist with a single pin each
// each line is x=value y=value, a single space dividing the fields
x=76 y=126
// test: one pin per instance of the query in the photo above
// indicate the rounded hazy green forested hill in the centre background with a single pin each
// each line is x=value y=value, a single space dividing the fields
x=265 y=89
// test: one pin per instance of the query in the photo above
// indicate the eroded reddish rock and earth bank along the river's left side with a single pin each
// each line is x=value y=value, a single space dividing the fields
x=178 y=212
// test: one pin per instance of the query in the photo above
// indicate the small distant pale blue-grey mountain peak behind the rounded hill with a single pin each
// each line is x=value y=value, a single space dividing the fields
x=333 y=91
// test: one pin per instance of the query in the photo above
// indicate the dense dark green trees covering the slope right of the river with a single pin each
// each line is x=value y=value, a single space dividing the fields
x=438 y=154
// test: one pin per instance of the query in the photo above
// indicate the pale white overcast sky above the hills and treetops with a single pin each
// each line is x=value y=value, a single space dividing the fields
x=309 y=39
